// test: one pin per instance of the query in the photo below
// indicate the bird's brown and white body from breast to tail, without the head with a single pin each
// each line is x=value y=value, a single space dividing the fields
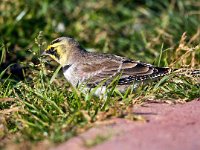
x=96 y=68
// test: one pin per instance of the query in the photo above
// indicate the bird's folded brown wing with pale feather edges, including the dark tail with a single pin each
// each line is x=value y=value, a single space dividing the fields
x=128 y=70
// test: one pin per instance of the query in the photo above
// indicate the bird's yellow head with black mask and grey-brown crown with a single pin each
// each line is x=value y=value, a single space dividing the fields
x=61 y=49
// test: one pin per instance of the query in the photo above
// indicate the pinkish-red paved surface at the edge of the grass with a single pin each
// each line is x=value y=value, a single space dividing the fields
x=169 y=127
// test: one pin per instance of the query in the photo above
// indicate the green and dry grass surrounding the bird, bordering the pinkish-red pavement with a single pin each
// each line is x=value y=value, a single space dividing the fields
x=36 y=102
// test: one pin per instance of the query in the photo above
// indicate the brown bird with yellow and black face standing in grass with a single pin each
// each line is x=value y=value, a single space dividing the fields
x=89 y=69
